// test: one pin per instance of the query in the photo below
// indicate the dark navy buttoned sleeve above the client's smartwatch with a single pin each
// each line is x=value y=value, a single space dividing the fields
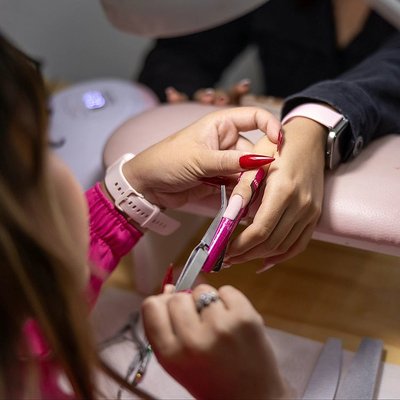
x=367 y=95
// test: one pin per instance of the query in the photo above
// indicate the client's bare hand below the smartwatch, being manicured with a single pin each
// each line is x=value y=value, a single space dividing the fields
x=292 y=199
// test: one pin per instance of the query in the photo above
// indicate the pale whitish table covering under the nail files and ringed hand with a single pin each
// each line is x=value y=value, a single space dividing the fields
x=296 y=355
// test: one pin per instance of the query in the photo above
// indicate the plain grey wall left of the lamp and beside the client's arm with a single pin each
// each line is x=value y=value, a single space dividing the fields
x=76 y=42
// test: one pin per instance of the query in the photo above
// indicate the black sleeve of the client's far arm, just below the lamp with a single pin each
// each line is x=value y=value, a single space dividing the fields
x=195 y=61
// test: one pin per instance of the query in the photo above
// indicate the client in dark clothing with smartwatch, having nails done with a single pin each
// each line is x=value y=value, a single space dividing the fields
x=323 y=61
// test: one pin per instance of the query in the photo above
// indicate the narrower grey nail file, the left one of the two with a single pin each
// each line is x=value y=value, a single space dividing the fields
x=325 y=377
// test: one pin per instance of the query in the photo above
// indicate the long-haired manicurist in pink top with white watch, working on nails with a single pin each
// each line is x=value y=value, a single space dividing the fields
x=49 y=228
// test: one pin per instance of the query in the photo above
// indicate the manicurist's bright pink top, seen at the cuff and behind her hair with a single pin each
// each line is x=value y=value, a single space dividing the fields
x=111 y=237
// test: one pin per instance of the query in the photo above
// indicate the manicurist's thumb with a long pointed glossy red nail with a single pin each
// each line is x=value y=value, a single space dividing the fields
x=226 y=162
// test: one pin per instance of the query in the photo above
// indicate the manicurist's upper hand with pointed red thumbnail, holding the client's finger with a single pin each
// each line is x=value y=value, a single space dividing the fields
x=171 y=172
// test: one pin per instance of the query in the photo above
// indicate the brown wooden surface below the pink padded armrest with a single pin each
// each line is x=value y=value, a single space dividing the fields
x=327 y=290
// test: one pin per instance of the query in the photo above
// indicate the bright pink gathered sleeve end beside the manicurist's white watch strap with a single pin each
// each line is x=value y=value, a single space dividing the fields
x=111 y=237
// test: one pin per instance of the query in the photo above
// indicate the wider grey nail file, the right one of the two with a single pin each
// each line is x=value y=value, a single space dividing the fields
x=361 y=377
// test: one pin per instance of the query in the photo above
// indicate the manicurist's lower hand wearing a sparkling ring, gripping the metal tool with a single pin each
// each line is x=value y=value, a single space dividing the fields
x=216 y=351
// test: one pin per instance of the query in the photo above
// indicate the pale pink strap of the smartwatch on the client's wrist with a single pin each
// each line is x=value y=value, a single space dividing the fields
x=317 y=112
